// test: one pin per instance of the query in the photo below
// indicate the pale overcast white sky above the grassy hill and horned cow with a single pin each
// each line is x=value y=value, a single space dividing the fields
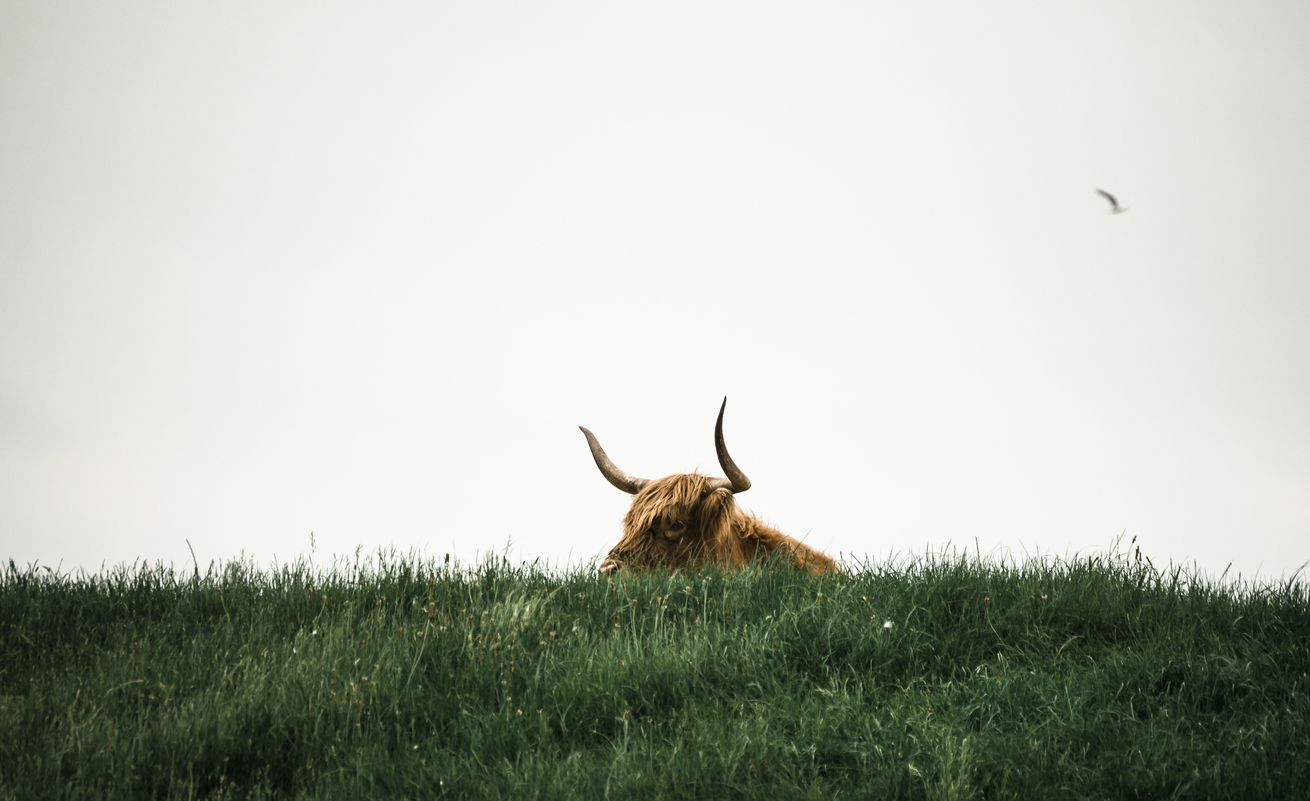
x=364 y=271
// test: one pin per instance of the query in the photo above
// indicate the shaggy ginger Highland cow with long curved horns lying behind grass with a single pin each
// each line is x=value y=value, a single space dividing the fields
x=694 y=518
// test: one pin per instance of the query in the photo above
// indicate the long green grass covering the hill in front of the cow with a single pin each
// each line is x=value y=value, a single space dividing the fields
x=1084 y=678
